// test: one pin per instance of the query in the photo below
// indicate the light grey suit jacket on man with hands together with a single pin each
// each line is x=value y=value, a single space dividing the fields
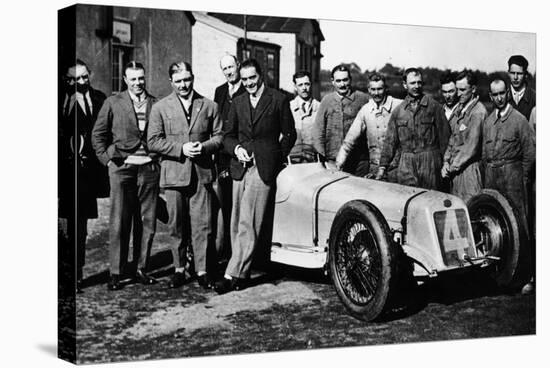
x=168 y=130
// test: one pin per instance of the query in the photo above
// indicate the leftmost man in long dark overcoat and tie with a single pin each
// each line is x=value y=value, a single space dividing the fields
x=79 y=106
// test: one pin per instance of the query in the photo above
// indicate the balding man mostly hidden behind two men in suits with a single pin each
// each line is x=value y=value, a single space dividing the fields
x=224 y=96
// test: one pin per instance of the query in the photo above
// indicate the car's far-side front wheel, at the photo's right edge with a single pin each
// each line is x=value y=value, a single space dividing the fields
x=498 y=232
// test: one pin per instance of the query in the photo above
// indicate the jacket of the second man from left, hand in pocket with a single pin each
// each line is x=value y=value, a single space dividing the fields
x=116 y=133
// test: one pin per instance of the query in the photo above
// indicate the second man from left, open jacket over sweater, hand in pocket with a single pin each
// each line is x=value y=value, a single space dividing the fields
x=120 y=141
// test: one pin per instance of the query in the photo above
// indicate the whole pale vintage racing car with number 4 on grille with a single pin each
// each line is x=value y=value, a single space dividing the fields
x=364 y=230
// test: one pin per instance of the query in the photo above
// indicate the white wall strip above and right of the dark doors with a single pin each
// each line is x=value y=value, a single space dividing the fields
x=287 y=67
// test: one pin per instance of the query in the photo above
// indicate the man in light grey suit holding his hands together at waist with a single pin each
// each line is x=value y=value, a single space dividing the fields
x=186 y=130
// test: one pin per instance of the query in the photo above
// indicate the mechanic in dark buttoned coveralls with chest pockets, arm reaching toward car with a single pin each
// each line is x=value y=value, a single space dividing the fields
x=419 y=130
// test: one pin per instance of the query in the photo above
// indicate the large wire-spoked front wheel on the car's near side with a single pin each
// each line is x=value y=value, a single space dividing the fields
x=363 y=260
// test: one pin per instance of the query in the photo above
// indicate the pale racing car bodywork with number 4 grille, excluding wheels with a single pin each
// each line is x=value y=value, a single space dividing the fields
x=433 y=228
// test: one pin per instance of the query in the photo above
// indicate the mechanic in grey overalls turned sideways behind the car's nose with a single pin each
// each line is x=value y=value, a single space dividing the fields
x=461 y=160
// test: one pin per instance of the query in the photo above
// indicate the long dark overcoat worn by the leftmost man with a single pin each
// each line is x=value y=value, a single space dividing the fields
x=76 y=152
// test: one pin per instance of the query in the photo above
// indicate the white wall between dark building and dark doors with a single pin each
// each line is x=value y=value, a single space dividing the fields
x=209 y=45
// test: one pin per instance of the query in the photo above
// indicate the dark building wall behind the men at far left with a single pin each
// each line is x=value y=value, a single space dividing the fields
x=153 y=38
